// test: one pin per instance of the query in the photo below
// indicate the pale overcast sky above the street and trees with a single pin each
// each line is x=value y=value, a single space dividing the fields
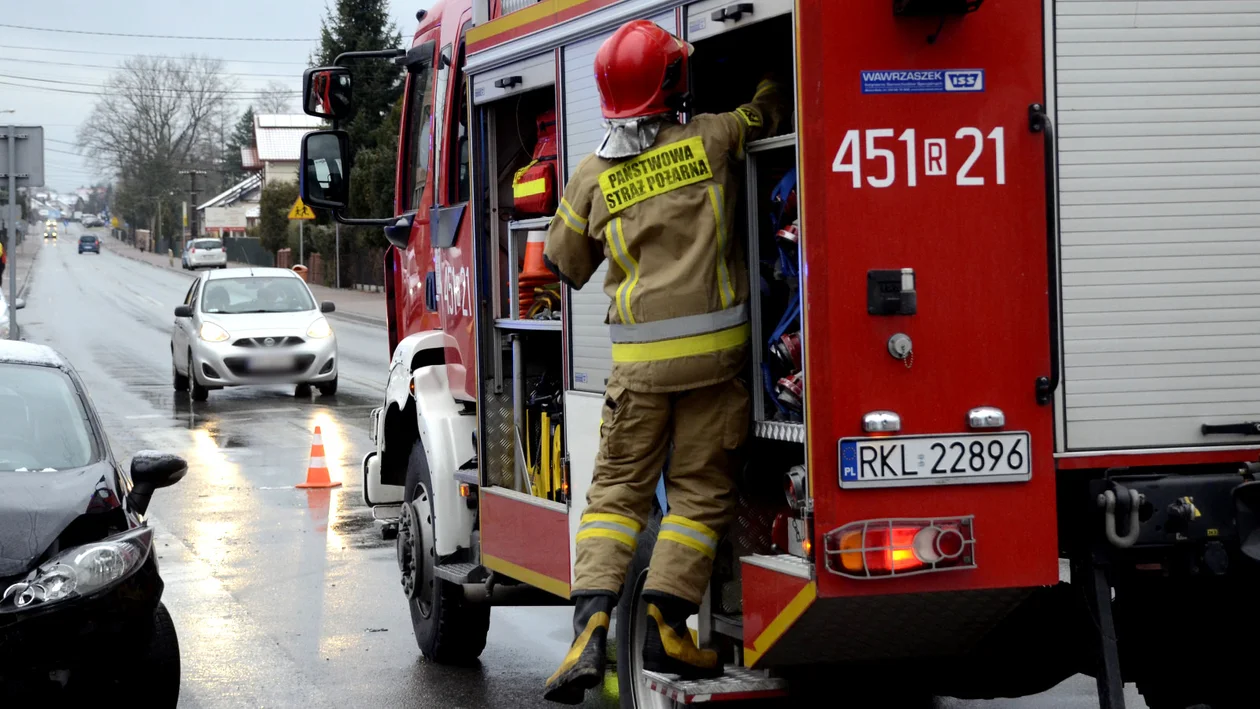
x=40 y=59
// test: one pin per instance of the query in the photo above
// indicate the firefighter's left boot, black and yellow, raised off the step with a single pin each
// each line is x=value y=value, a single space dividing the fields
x=584 y=666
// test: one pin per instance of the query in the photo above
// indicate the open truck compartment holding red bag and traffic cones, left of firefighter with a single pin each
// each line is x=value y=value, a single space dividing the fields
x=522 y=353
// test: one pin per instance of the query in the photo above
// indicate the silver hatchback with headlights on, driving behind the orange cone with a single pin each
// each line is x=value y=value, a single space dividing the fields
x=244 y=327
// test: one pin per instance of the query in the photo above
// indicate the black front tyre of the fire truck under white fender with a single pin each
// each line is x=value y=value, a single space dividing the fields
x=449 y=630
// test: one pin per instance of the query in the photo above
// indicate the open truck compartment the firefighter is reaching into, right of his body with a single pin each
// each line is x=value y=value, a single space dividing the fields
x=725 y=75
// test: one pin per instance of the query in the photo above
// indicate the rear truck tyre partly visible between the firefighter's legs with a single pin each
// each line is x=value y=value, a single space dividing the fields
x=631 y=628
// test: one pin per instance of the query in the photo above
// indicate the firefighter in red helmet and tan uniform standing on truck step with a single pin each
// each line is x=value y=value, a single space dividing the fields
x=658 y=198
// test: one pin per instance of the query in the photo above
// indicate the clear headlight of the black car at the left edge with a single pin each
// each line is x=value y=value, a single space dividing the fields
x=83 y=571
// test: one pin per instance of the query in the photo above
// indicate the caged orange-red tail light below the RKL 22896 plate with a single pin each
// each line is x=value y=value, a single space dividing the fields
x=900 y=547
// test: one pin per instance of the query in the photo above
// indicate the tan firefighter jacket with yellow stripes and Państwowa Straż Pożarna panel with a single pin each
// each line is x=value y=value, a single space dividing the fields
x=679 y=279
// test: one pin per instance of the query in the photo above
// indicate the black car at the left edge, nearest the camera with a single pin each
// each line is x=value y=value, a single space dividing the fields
x=81 y=589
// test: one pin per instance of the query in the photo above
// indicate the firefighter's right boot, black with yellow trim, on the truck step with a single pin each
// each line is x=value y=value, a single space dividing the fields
x=670 y=648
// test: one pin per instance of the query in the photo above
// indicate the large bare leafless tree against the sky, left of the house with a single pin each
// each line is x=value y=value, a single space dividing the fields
x=157 y=116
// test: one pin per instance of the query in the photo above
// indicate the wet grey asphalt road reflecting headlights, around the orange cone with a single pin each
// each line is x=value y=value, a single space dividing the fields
x=284 y=598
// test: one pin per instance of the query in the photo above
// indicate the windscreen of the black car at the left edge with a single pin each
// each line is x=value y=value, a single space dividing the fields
x=43 y=423
